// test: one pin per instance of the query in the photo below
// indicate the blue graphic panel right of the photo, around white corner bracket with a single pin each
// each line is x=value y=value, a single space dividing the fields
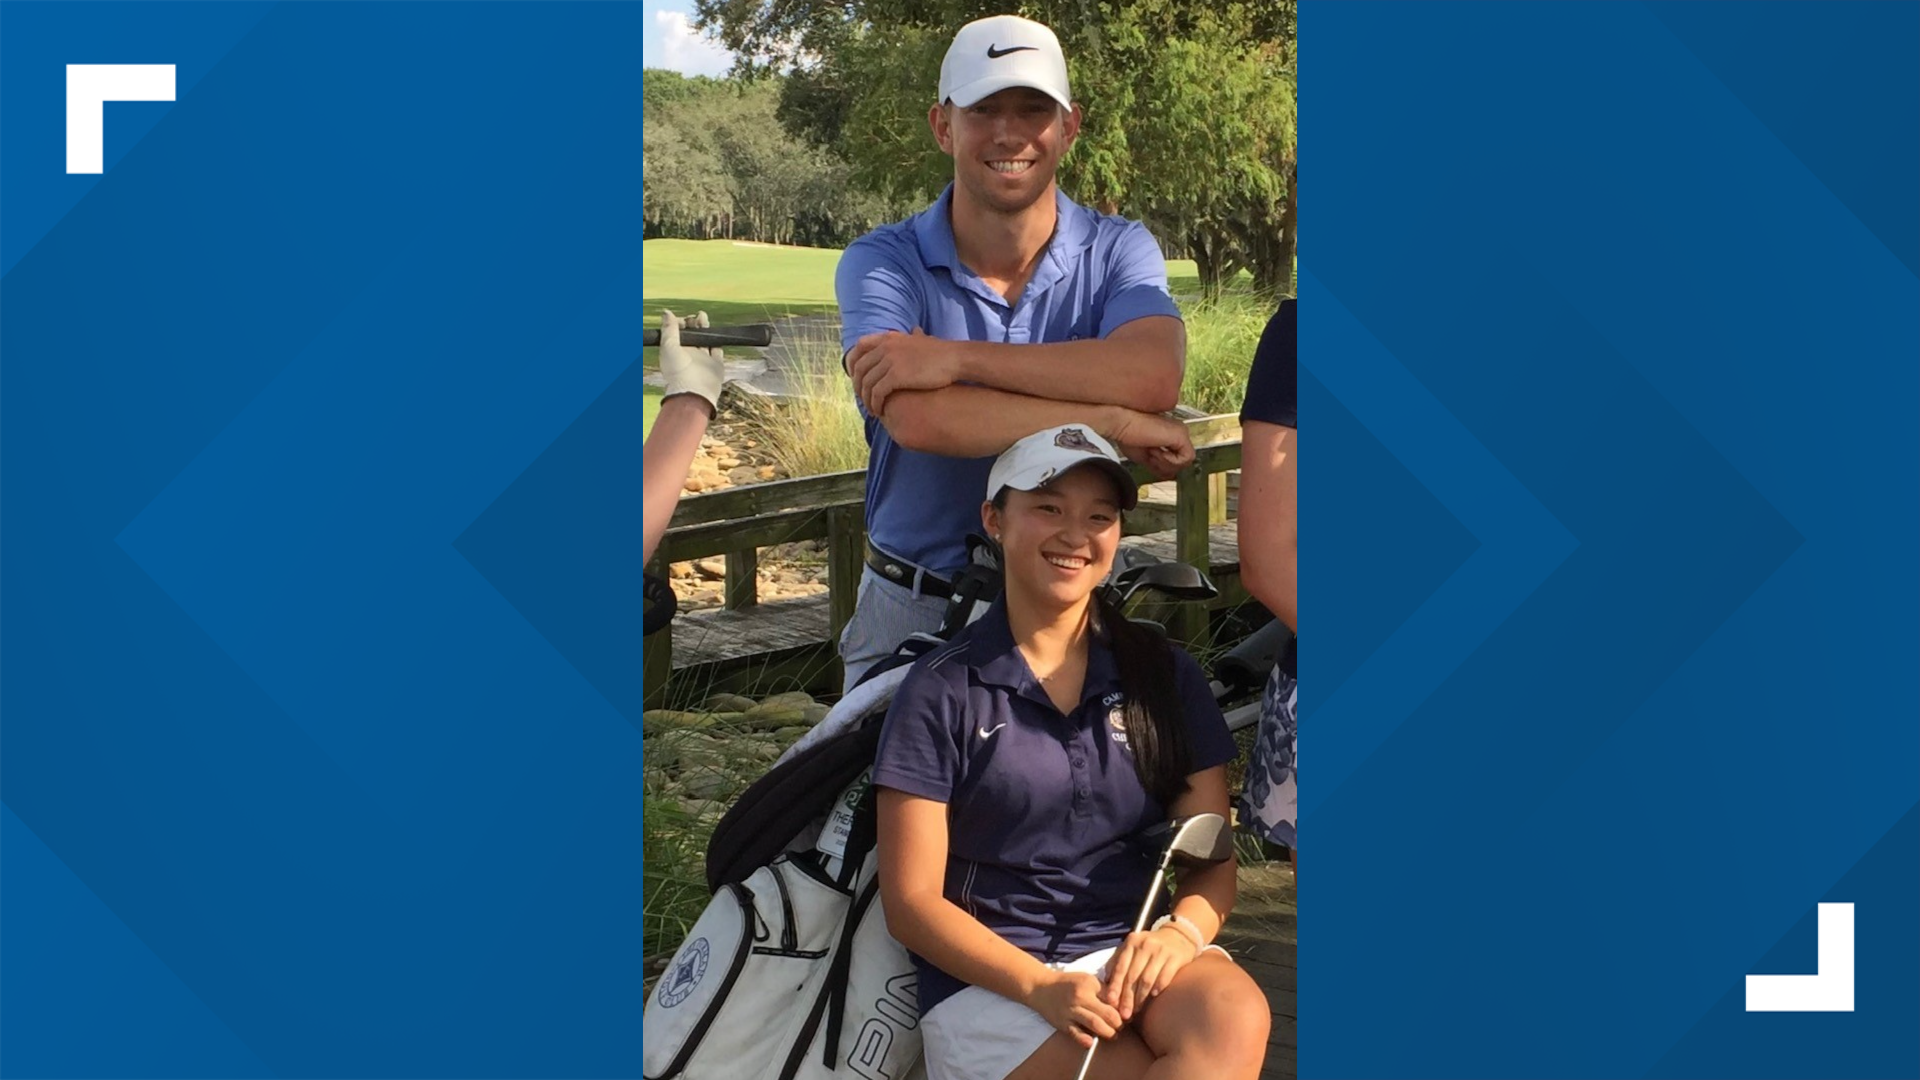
x=1631 y=293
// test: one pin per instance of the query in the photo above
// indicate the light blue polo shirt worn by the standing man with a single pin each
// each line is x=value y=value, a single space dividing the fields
x=1097 y=274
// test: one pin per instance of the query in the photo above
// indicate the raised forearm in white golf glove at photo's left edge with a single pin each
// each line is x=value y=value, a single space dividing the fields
x=694 y=380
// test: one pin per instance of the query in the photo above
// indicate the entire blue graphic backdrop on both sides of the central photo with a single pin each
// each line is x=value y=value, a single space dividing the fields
x=318 y=687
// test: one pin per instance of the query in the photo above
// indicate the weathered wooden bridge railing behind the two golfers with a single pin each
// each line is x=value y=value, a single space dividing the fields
x=738 y=522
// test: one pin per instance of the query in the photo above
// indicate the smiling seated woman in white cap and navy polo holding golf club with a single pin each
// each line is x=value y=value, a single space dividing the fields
x=1019 y=768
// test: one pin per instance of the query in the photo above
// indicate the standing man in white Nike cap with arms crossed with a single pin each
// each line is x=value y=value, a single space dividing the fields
x=997 y=312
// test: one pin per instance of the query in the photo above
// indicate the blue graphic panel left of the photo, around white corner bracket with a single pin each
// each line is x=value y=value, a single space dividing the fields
x=318 y=745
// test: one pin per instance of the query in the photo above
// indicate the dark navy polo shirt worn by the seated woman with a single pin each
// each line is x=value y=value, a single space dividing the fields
x=1044 y=812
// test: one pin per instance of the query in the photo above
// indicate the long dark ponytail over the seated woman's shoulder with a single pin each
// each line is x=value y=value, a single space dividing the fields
x=1155 y=718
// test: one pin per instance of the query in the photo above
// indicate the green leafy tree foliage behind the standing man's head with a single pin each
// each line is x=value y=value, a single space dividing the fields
x=1189 y=109
